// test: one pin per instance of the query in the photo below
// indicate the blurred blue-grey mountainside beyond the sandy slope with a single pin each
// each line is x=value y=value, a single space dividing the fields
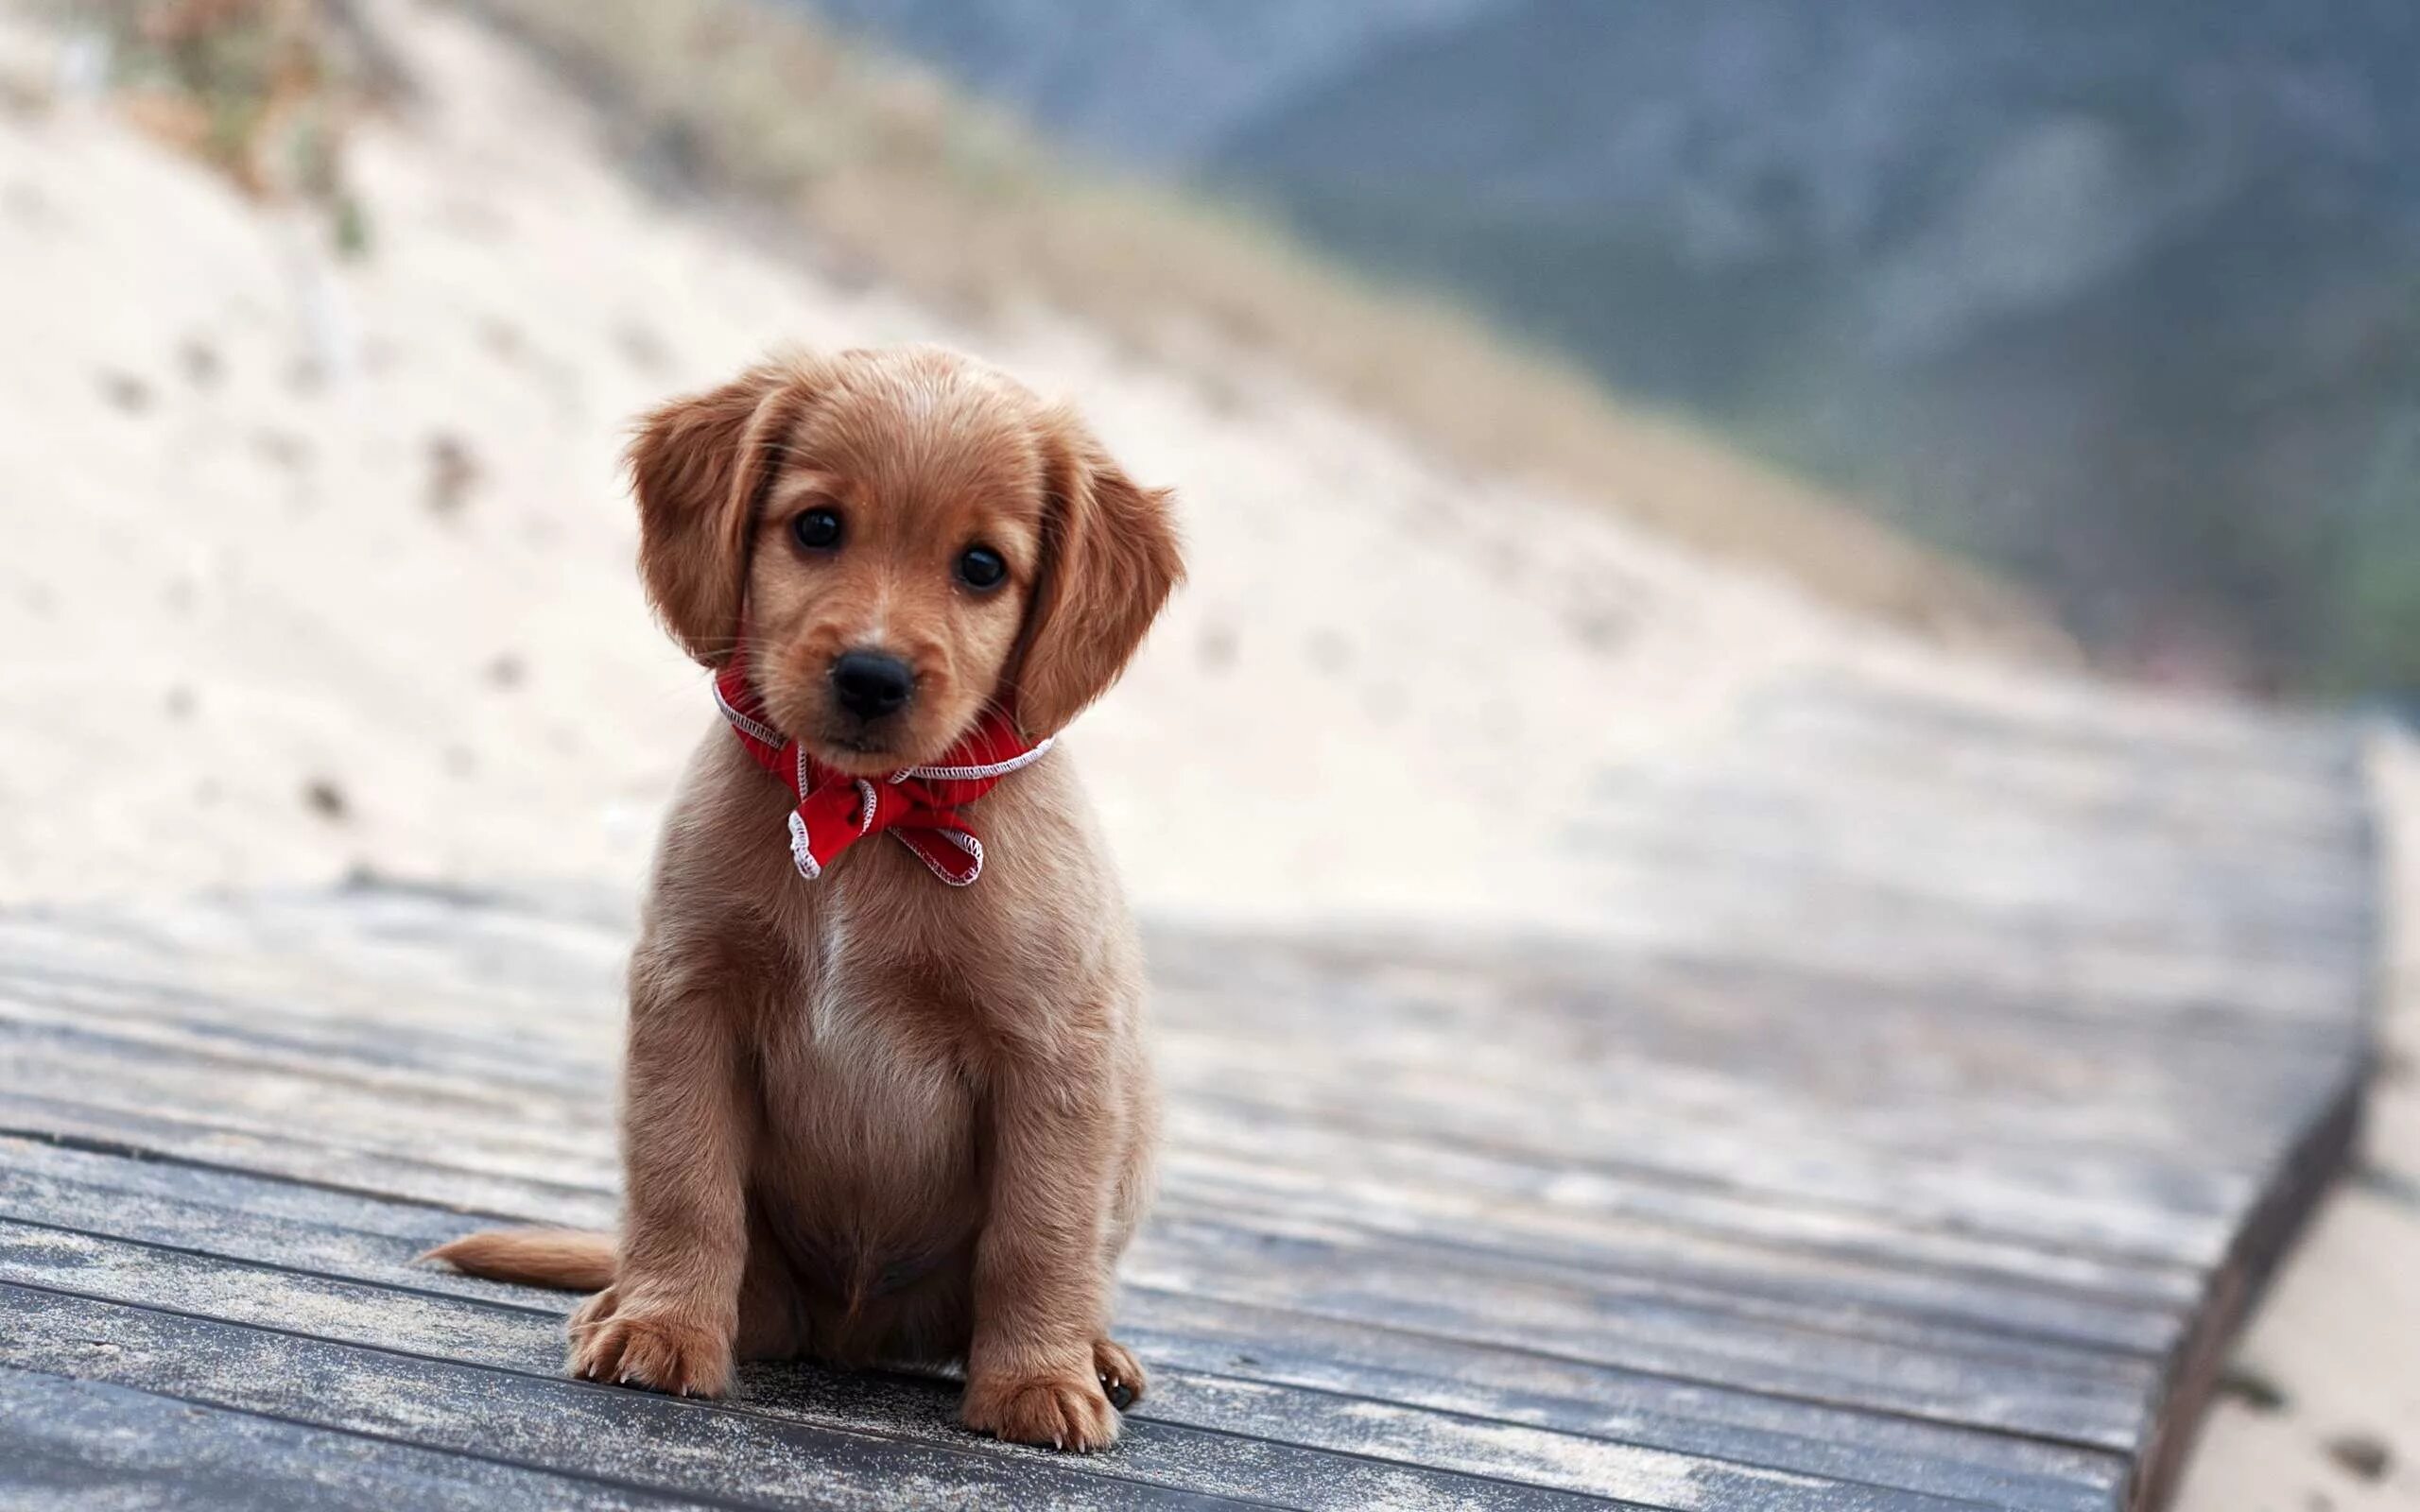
x=2121 y=299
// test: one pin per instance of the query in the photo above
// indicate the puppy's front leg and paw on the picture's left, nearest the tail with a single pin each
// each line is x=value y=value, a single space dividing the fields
x=672 y=1317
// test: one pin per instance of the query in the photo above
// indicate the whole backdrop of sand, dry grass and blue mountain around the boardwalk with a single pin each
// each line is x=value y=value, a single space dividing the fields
x=1540 y=379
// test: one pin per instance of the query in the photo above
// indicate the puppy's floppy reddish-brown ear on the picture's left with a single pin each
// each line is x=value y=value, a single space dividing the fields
x=701 y=468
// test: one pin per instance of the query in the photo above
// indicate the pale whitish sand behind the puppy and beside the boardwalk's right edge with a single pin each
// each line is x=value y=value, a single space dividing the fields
x=323 y=567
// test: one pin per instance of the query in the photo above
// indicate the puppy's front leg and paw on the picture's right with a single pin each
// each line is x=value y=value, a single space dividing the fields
x=1042 y=1266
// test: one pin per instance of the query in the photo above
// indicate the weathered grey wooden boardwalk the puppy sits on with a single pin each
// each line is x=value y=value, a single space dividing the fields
x=1937 y=1100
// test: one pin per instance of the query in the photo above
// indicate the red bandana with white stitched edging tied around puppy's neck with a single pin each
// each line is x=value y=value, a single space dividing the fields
x=918 y=804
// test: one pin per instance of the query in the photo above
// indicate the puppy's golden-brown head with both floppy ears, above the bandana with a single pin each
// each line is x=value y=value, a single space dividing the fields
x=909 y=541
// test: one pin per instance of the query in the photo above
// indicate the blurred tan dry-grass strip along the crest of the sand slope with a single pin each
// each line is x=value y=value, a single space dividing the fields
x=889 y=178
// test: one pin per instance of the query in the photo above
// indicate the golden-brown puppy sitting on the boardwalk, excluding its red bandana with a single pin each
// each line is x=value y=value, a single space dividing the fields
x=872 y=1116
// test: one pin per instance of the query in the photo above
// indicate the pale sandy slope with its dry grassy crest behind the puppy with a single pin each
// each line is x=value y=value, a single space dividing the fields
x=328 y=325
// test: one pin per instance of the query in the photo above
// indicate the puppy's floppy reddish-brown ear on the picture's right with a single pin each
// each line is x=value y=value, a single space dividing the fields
x=1110 y=565
